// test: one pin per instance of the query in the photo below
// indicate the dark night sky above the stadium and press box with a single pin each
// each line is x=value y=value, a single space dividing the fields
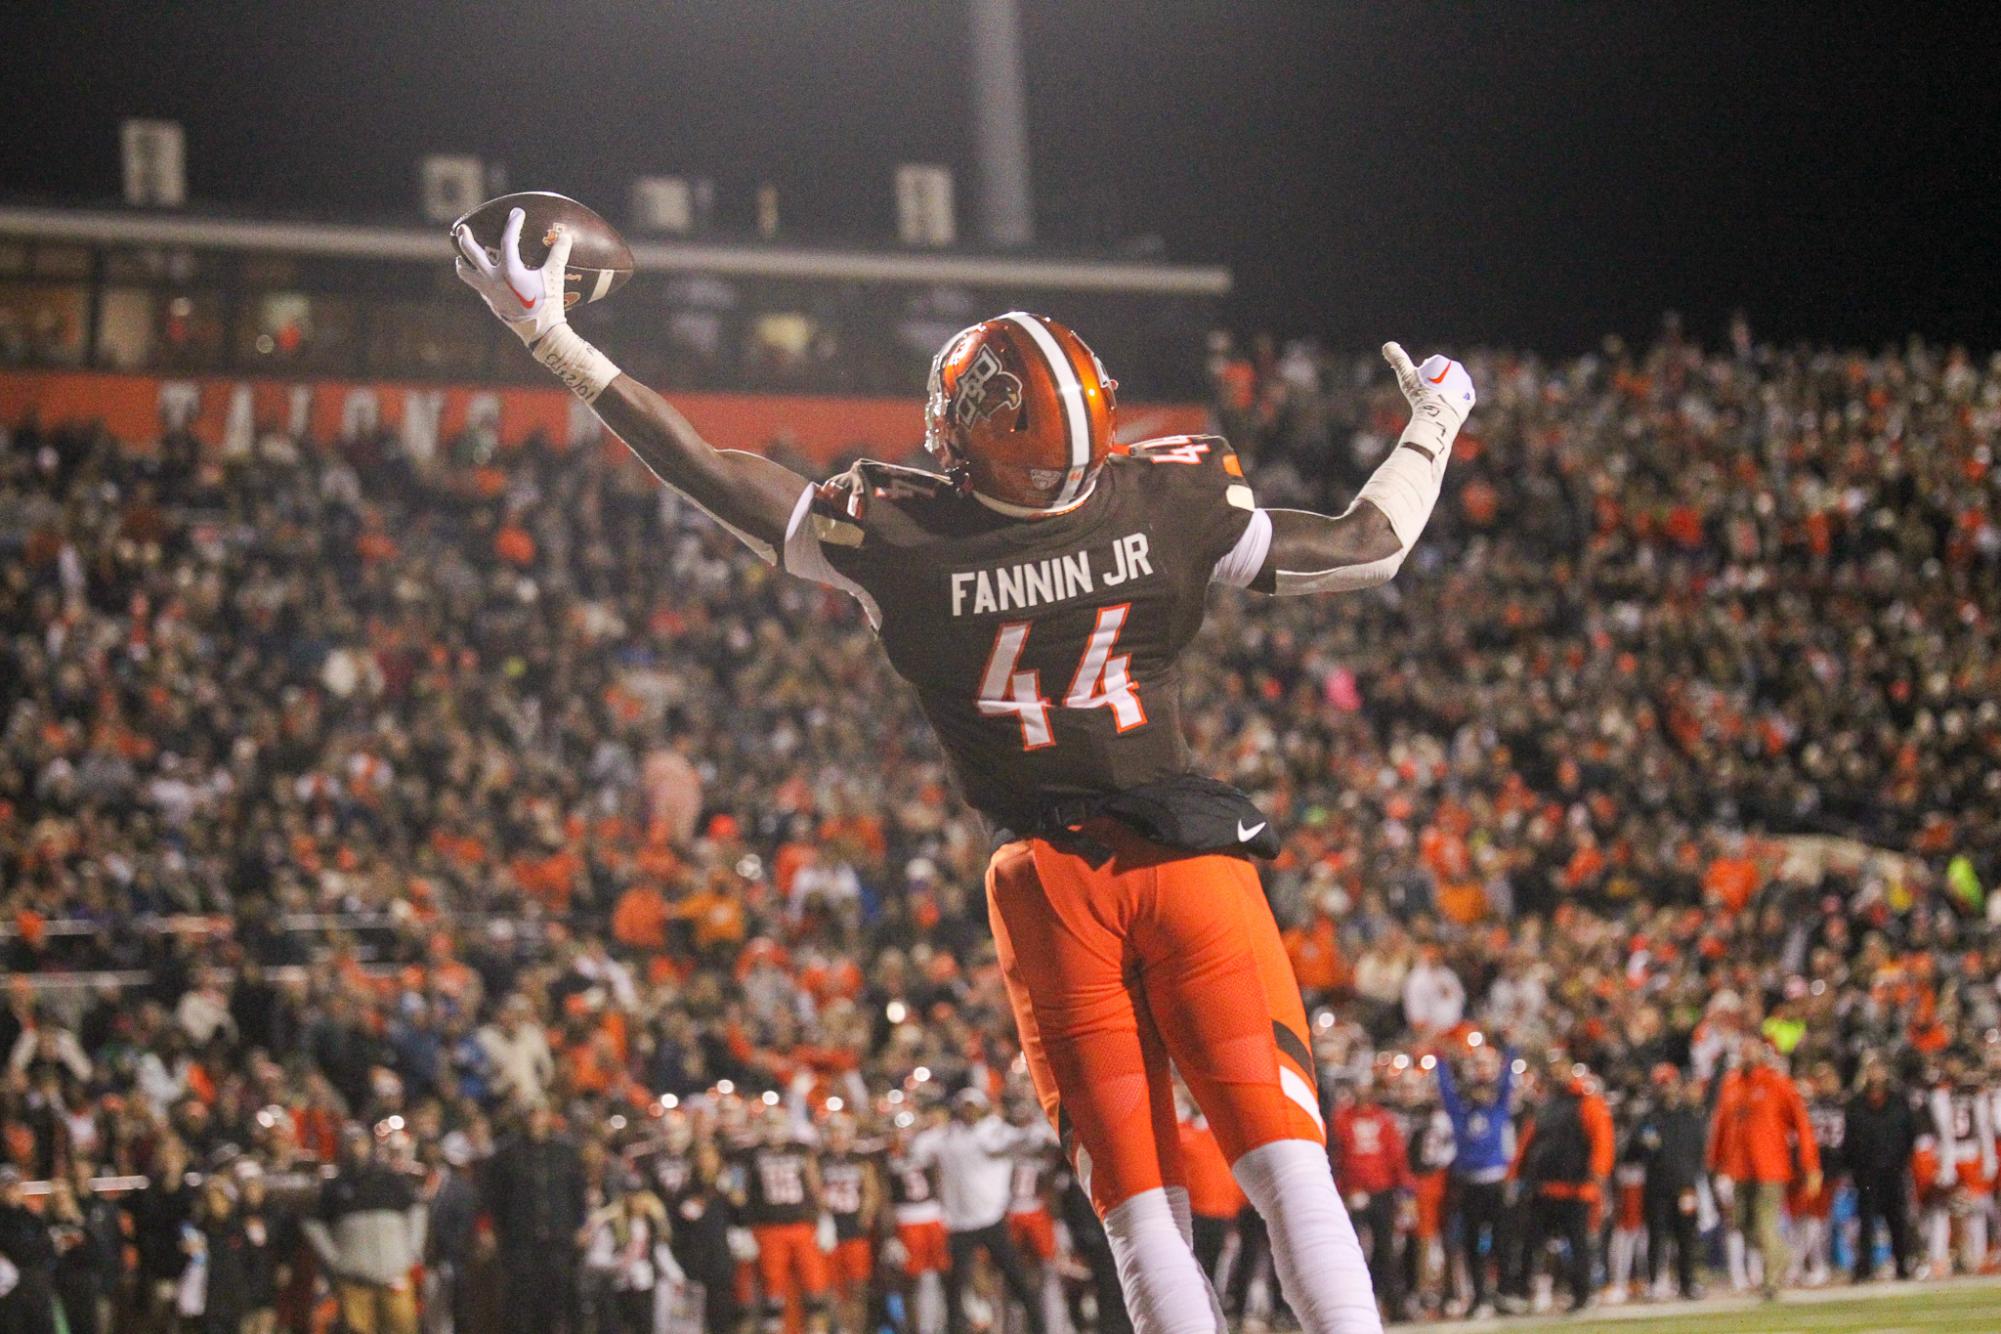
x=1440 y=173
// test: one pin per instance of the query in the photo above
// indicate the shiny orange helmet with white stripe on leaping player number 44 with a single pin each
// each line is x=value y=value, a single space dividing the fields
x=1022 y=413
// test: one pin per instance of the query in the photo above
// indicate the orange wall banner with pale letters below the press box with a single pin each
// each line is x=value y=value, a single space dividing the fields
x=233 y=413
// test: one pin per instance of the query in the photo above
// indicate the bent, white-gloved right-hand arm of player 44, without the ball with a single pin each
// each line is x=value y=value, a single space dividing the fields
x=1368 y=543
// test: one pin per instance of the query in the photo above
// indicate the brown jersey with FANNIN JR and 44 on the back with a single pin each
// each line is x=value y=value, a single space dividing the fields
x=1044 y=651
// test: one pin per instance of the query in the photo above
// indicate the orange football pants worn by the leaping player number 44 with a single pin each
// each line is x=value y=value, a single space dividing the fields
x=1116 y=971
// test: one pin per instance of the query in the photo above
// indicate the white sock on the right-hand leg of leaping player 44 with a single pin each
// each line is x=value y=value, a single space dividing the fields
x=1314 y=1241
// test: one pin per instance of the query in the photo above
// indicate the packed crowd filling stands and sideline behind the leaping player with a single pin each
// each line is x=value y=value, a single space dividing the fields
x=431 y=895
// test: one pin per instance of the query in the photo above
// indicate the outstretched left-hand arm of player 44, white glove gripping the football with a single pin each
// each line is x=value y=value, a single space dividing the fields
x=745 y=493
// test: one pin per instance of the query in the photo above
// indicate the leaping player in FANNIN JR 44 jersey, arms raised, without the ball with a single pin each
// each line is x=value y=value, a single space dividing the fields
x=1040 y=595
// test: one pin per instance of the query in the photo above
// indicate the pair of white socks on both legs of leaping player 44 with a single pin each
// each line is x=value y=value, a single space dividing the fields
x=1314 y=1249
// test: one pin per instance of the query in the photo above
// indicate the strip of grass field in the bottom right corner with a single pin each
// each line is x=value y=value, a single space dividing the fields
x=1962 y=1307
